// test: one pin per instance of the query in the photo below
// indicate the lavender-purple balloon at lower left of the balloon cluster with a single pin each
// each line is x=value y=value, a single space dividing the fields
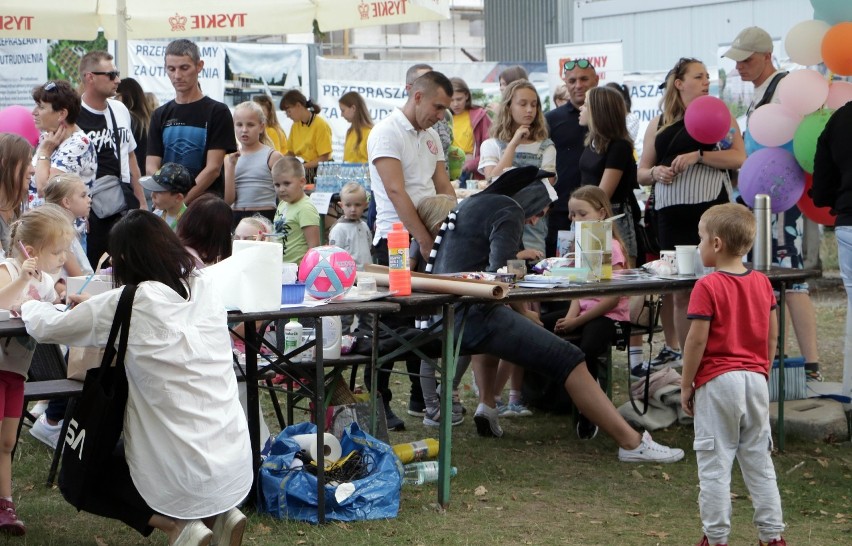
x=775 y=172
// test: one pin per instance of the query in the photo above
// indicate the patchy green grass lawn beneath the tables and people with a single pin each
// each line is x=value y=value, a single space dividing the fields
x=537 y=485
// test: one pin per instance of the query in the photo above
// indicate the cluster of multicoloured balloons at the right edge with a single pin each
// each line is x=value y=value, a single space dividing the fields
x=782 y=138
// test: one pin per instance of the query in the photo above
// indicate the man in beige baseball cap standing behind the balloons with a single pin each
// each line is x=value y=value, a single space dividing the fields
x=752 y=50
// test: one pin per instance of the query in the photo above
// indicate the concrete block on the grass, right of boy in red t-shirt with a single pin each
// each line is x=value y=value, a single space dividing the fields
x=812 y=419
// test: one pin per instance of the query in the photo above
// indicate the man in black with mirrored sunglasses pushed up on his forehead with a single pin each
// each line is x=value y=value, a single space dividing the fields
x=567 y=135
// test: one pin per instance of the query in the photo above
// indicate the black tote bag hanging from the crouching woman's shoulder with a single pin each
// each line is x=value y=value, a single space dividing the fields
x=96 y=424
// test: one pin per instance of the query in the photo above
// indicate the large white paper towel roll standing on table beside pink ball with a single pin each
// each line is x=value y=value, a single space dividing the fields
x=250 y=280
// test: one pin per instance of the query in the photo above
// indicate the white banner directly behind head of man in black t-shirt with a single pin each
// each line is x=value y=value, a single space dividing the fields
x=147 y=62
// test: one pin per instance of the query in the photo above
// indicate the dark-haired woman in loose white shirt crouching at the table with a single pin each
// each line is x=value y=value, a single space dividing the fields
x=187 y=457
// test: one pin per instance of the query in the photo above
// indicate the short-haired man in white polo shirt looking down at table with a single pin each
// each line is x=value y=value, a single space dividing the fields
x=407 y=162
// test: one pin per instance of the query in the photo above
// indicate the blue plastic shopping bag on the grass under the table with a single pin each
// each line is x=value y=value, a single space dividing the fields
x=287 y=493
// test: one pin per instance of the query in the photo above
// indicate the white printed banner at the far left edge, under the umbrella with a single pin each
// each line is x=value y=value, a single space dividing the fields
x=23 y=65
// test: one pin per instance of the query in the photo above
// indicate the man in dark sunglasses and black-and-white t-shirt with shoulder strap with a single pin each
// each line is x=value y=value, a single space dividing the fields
x=107 y=123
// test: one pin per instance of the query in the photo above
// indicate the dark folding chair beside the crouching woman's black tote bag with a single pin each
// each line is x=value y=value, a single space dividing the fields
x=47 y=381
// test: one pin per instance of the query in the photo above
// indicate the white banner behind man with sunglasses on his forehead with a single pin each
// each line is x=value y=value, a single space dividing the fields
x=606 y=57
